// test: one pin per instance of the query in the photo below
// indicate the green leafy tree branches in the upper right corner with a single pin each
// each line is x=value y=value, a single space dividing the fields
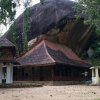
x=90 y=9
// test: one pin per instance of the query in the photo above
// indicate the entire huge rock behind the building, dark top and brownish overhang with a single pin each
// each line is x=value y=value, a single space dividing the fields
x=54 y=21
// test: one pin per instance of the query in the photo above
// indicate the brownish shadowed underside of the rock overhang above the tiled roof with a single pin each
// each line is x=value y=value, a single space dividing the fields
x=74 y=34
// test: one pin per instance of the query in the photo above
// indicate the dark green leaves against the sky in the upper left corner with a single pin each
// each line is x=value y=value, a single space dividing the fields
x=7 y=11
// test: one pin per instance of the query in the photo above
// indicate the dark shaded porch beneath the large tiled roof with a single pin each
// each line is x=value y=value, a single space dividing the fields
x=58 y=72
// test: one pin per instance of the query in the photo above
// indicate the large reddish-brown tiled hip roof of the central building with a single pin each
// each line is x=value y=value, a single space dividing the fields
x=50 y=53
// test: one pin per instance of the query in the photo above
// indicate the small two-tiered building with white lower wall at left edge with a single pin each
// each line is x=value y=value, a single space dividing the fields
x=7 y=53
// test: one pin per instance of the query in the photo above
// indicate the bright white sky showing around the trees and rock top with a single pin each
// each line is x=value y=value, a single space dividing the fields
x=19 y=10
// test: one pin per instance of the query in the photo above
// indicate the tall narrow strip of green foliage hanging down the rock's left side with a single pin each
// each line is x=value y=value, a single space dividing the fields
x=26 y=25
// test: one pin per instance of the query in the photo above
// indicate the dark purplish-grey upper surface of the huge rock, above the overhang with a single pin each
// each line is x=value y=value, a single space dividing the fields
x=44 y=17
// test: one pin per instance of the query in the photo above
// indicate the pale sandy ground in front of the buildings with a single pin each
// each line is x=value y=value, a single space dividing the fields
x=69 y=92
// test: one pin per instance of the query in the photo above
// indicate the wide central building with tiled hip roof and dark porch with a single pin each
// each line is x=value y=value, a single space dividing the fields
x=48 y=61
